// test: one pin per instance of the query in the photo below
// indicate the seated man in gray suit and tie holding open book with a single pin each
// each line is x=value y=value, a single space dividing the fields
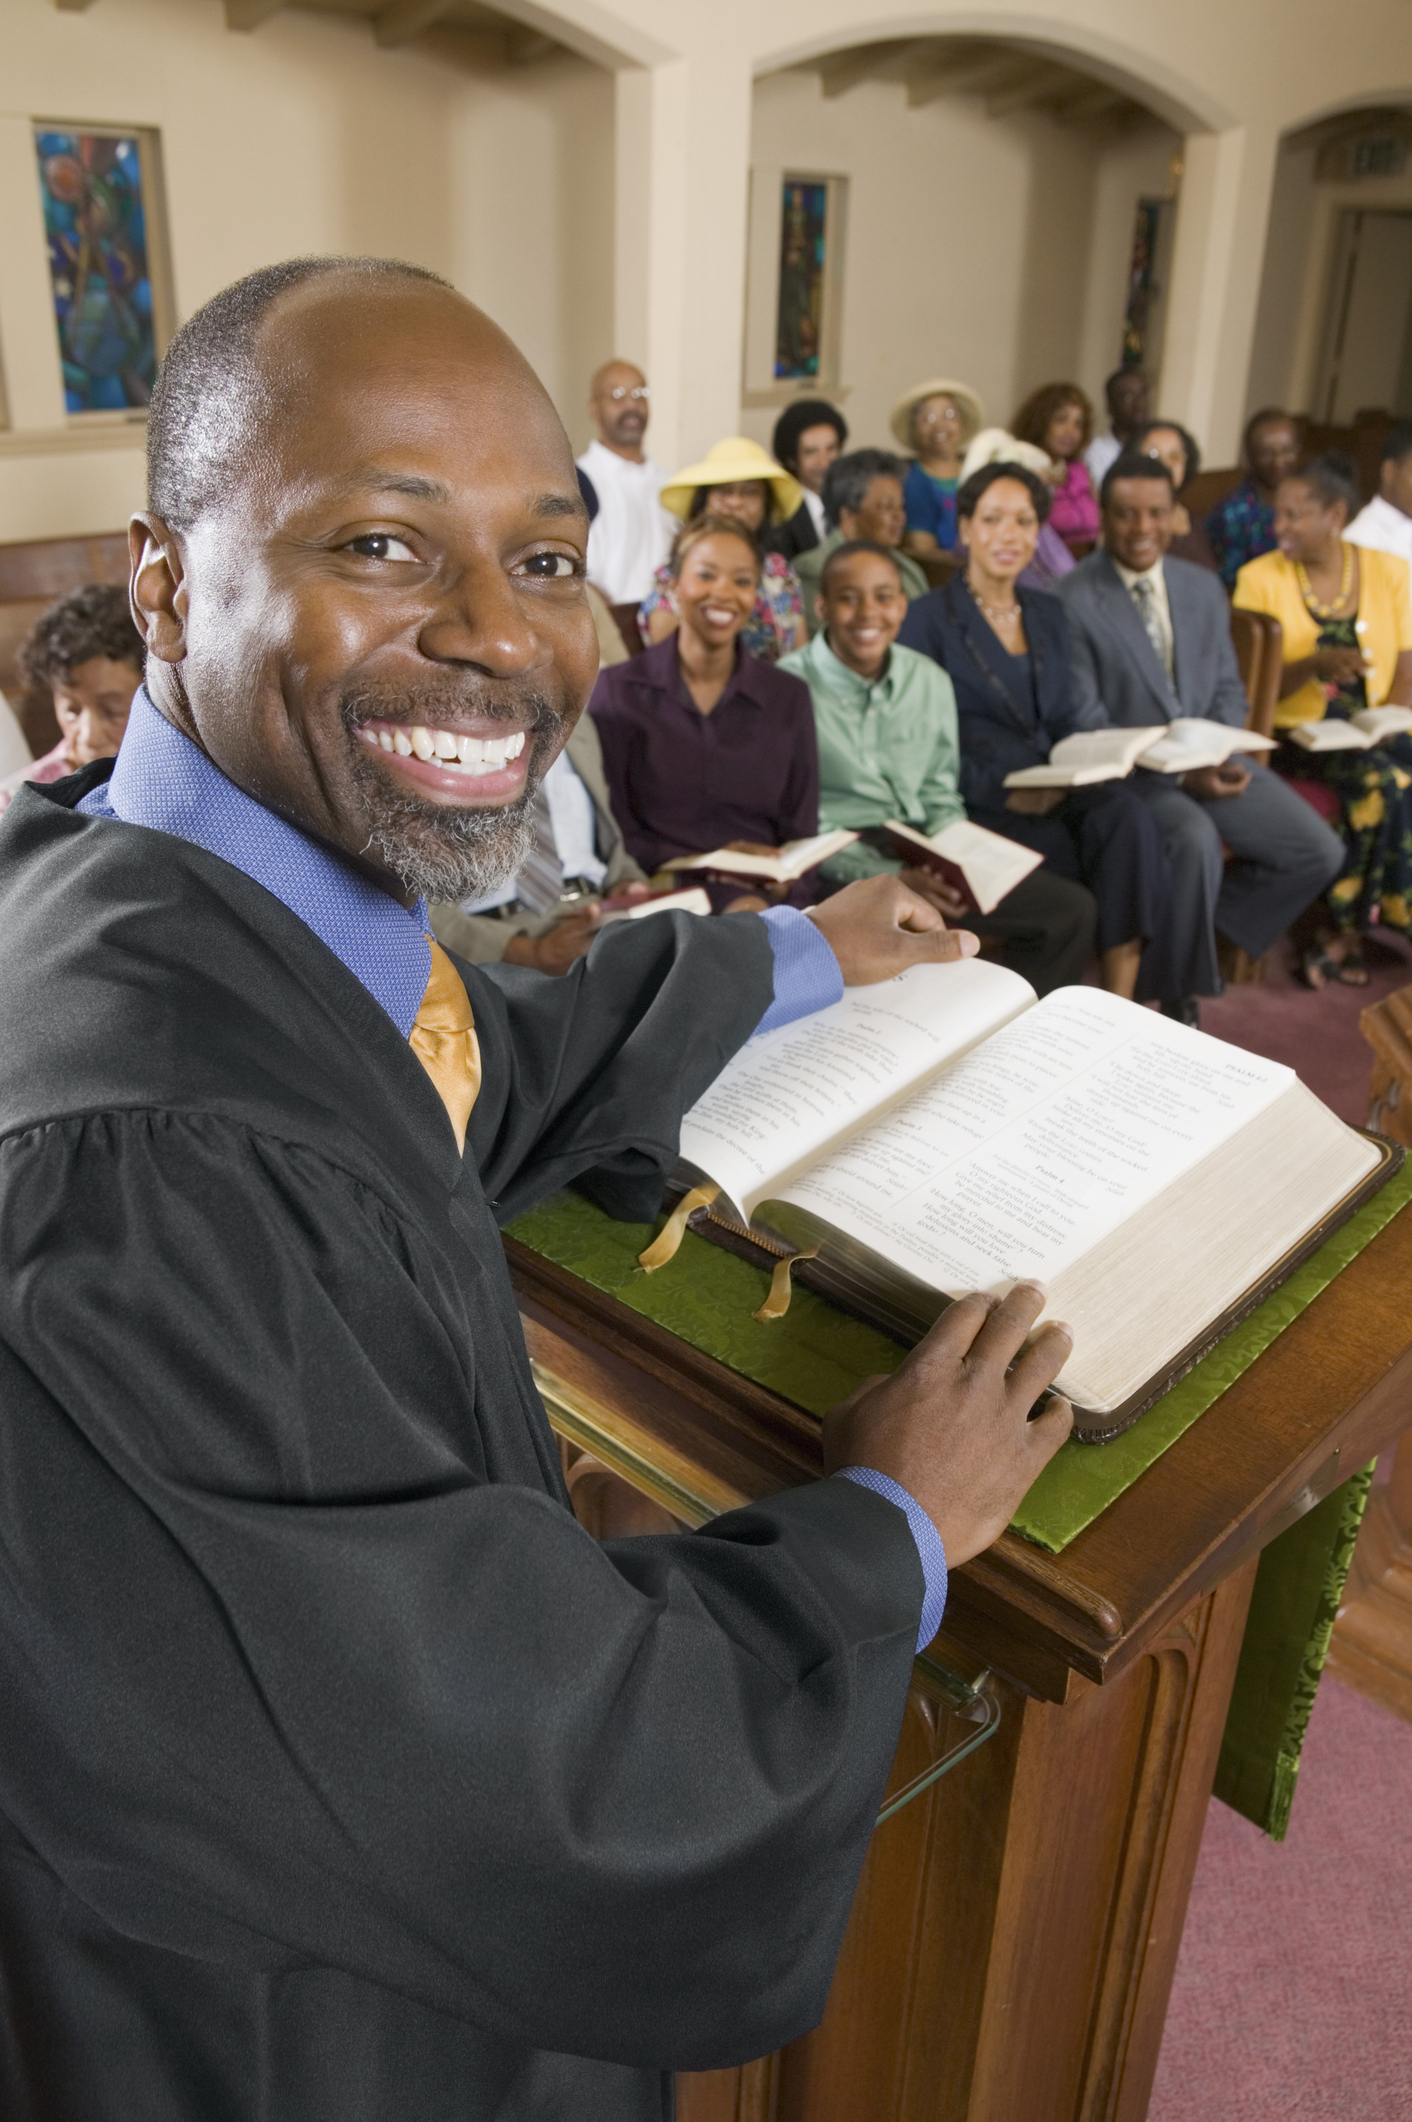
x=1154 y=642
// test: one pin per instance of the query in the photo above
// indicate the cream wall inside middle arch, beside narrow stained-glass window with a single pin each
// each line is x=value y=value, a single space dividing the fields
x=986 y=249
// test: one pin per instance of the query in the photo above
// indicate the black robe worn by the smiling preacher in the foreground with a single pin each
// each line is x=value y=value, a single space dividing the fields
x=345 y=1779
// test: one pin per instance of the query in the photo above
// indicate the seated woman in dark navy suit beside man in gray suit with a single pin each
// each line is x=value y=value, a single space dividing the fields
x=1008 y=657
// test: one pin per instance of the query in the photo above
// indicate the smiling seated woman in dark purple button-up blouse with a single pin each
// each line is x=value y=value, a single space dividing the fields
x=706 y=746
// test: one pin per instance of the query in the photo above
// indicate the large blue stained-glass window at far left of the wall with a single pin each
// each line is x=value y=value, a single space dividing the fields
x=99 y=211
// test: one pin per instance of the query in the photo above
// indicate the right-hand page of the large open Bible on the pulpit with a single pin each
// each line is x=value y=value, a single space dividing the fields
x=1029 y=1151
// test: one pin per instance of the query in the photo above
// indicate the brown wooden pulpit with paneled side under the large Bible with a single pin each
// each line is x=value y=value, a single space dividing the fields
x=1016 y=1928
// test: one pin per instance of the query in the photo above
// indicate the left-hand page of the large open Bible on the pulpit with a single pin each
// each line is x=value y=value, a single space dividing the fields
x=789 y=1096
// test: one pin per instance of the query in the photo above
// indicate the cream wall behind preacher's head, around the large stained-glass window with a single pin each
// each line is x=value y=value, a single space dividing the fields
x=300 y=137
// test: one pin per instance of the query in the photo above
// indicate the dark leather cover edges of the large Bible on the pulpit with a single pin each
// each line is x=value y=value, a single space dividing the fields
x=1092 y=1427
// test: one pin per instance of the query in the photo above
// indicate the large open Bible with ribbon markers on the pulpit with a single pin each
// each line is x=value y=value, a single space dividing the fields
x=946 y=1132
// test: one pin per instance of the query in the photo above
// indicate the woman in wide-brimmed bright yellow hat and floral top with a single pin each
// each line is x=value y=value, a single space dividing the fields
x=742 y=481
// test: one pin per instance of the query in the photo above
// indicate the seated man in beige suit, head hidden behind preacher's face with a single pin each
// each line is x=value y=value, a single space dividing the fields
x=547 y=916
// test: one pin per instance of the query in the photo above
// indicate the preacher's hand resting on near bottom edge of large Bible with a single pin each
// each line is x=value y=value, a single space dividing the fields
x=952 y=1423
